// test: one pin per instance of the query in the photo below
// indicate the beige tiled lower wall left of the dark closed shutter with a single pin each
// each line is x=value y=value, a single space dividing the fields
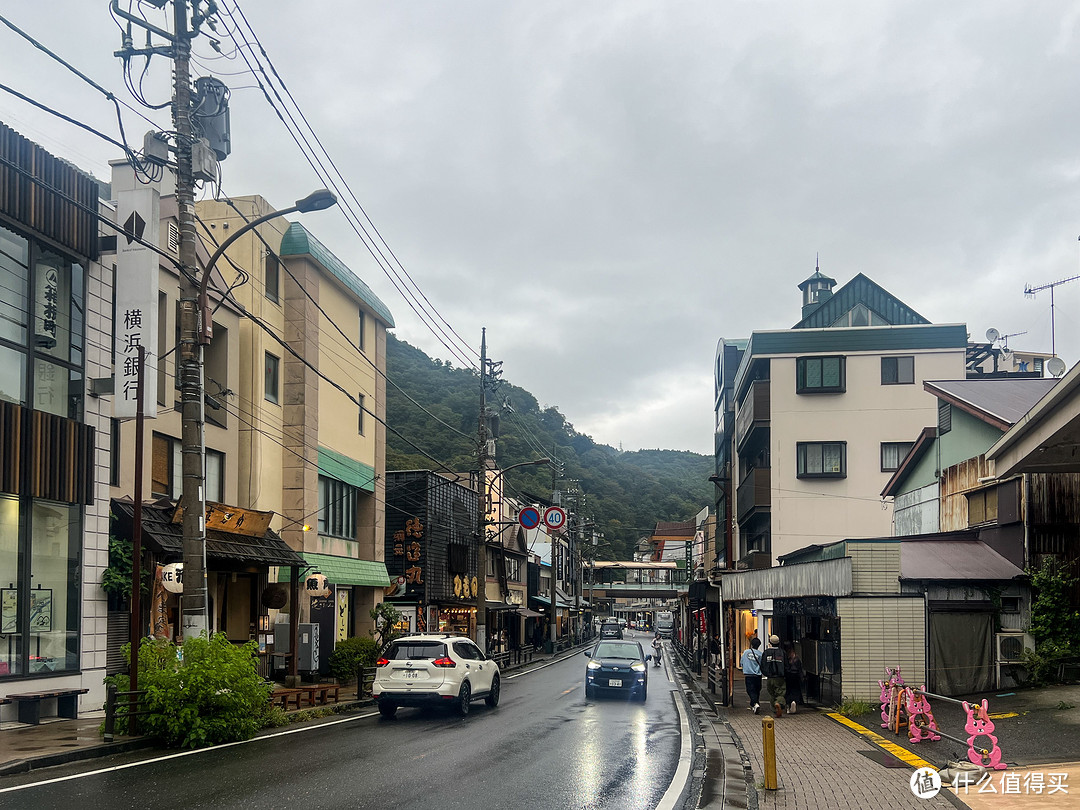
x=876 y=633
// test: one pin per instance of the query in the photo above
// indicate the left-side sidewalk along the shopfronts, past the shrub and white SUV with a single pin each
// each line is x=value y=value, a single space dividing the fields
x=56 y=742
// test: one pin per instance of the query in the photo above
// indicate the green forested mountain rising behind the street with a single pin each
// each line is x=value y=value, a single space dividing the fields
x=625 y=493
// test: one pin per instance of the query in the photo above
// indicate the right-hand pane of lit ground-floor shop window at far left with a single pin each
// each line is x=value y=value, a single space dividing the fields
x=55 y=590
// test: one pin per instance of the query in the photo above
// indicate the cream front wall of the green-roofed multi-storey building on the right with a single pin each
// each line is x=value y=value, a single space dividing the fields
x=865 y=416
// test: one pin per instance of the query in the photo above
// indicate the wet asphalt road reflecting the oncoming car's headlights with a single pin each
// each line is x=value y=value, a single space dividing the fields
x=545 y=747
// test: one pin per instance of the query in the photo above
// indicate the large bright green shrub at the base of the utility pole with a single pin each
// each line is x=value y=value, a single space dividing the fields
x=210 y=693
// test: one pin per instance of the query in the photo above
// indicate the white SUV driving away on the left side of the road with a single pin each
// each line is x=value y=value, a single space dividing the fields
x=435 y=670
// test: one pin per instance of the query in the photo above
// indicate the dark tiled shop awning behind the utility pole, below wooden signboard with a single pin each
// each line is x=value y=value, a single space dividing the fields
x=166 y=538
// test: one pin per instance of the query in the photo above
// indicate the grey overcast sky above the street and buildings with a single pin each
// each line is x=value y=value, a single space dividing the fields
x=612 y=187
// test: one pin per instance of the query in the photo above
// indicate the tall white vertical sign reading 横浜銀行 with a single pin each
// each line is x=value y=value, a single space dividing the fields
x=139 y=215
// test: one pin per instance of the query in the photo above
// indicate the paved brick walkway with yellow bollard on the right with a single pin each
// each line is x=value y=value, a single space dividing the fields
x=819 y=766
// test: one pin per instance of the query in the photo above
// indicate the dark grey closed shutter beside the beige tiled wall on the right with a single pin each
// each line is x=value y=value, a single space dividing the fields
x=961 y=653
